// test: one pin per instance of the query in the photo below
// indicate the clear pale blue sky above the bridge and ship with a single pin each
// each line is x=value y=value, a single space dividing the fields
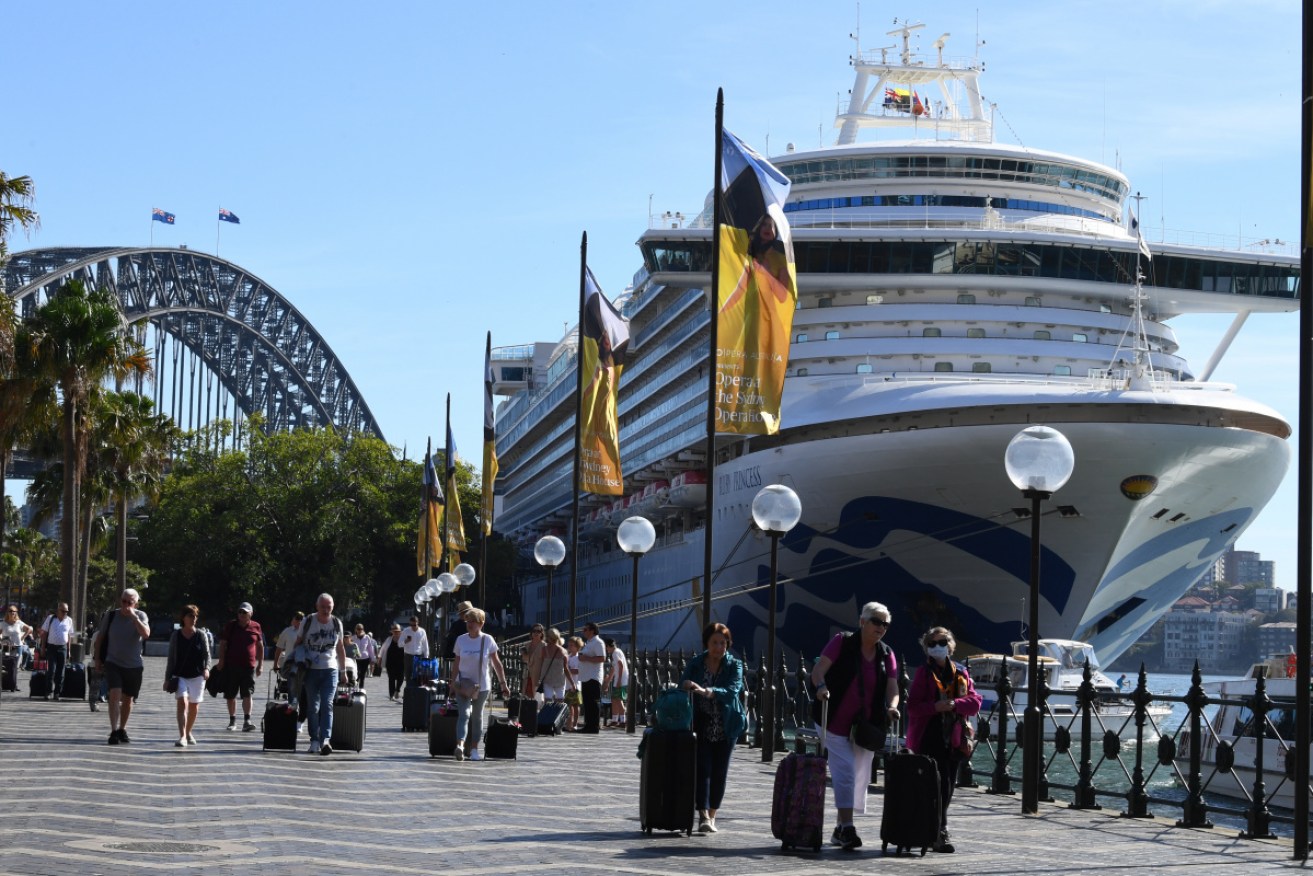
x=412 y=175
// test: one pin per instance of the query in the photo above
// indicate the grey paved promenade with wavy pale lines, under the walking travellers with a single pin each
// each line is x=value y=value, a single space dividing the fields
x=570 y=804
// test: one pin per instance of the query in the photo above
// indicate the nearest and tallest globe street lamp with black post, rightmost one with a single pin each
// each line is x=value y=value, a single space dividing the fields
x=1039 y=460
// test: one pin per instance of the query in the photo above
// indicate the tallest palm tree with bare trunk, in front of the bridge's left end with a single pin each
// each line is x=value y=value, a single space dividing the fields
x=74 y=342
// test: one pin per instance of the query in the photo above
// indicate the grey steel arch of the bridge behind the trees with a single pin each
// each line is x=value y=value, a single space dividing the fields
x=262 y=350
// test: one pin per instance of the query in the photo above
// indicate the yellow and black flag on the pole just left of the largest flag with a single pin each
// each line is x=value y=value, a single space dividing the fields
x=603 y=346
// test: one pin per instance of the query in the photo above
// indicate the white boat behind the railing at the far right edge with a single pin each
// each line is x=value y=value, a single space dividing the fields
x=1231 y=743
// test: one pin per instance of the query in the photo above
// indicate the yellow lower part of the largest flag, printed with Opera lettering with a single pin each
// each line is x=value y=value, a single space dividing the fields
x=757 y=295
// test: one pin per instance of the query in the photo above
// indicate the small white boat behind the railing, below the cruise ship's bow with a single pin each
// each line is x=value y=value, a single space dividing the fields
x=1063 y=663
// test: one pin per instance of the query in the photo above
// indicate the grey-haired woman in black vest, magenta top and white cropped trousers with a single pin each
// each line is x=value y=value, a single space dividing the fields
x=859 y=677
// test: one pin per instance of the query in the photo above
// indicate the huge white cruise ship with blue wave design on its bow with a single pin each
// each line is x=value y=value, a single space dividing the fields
x=953 y=291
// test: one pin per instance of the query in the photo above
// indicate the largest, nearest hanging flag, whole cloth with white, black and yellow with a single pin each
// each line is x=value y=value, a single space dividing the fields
x=757 y=291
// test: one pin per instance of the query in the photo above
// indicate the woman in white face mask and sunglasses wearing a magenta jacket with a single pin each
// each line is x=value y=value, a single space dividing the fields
x=941 y=702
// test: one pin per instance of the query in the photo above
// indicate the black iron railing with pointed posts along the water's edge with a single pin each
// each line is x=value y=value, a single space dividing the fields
x=1143 y=764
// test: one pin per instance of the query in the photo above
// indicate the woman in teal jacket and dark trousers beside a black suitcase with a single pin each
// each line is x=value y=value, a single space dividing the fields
x=715 y=678
